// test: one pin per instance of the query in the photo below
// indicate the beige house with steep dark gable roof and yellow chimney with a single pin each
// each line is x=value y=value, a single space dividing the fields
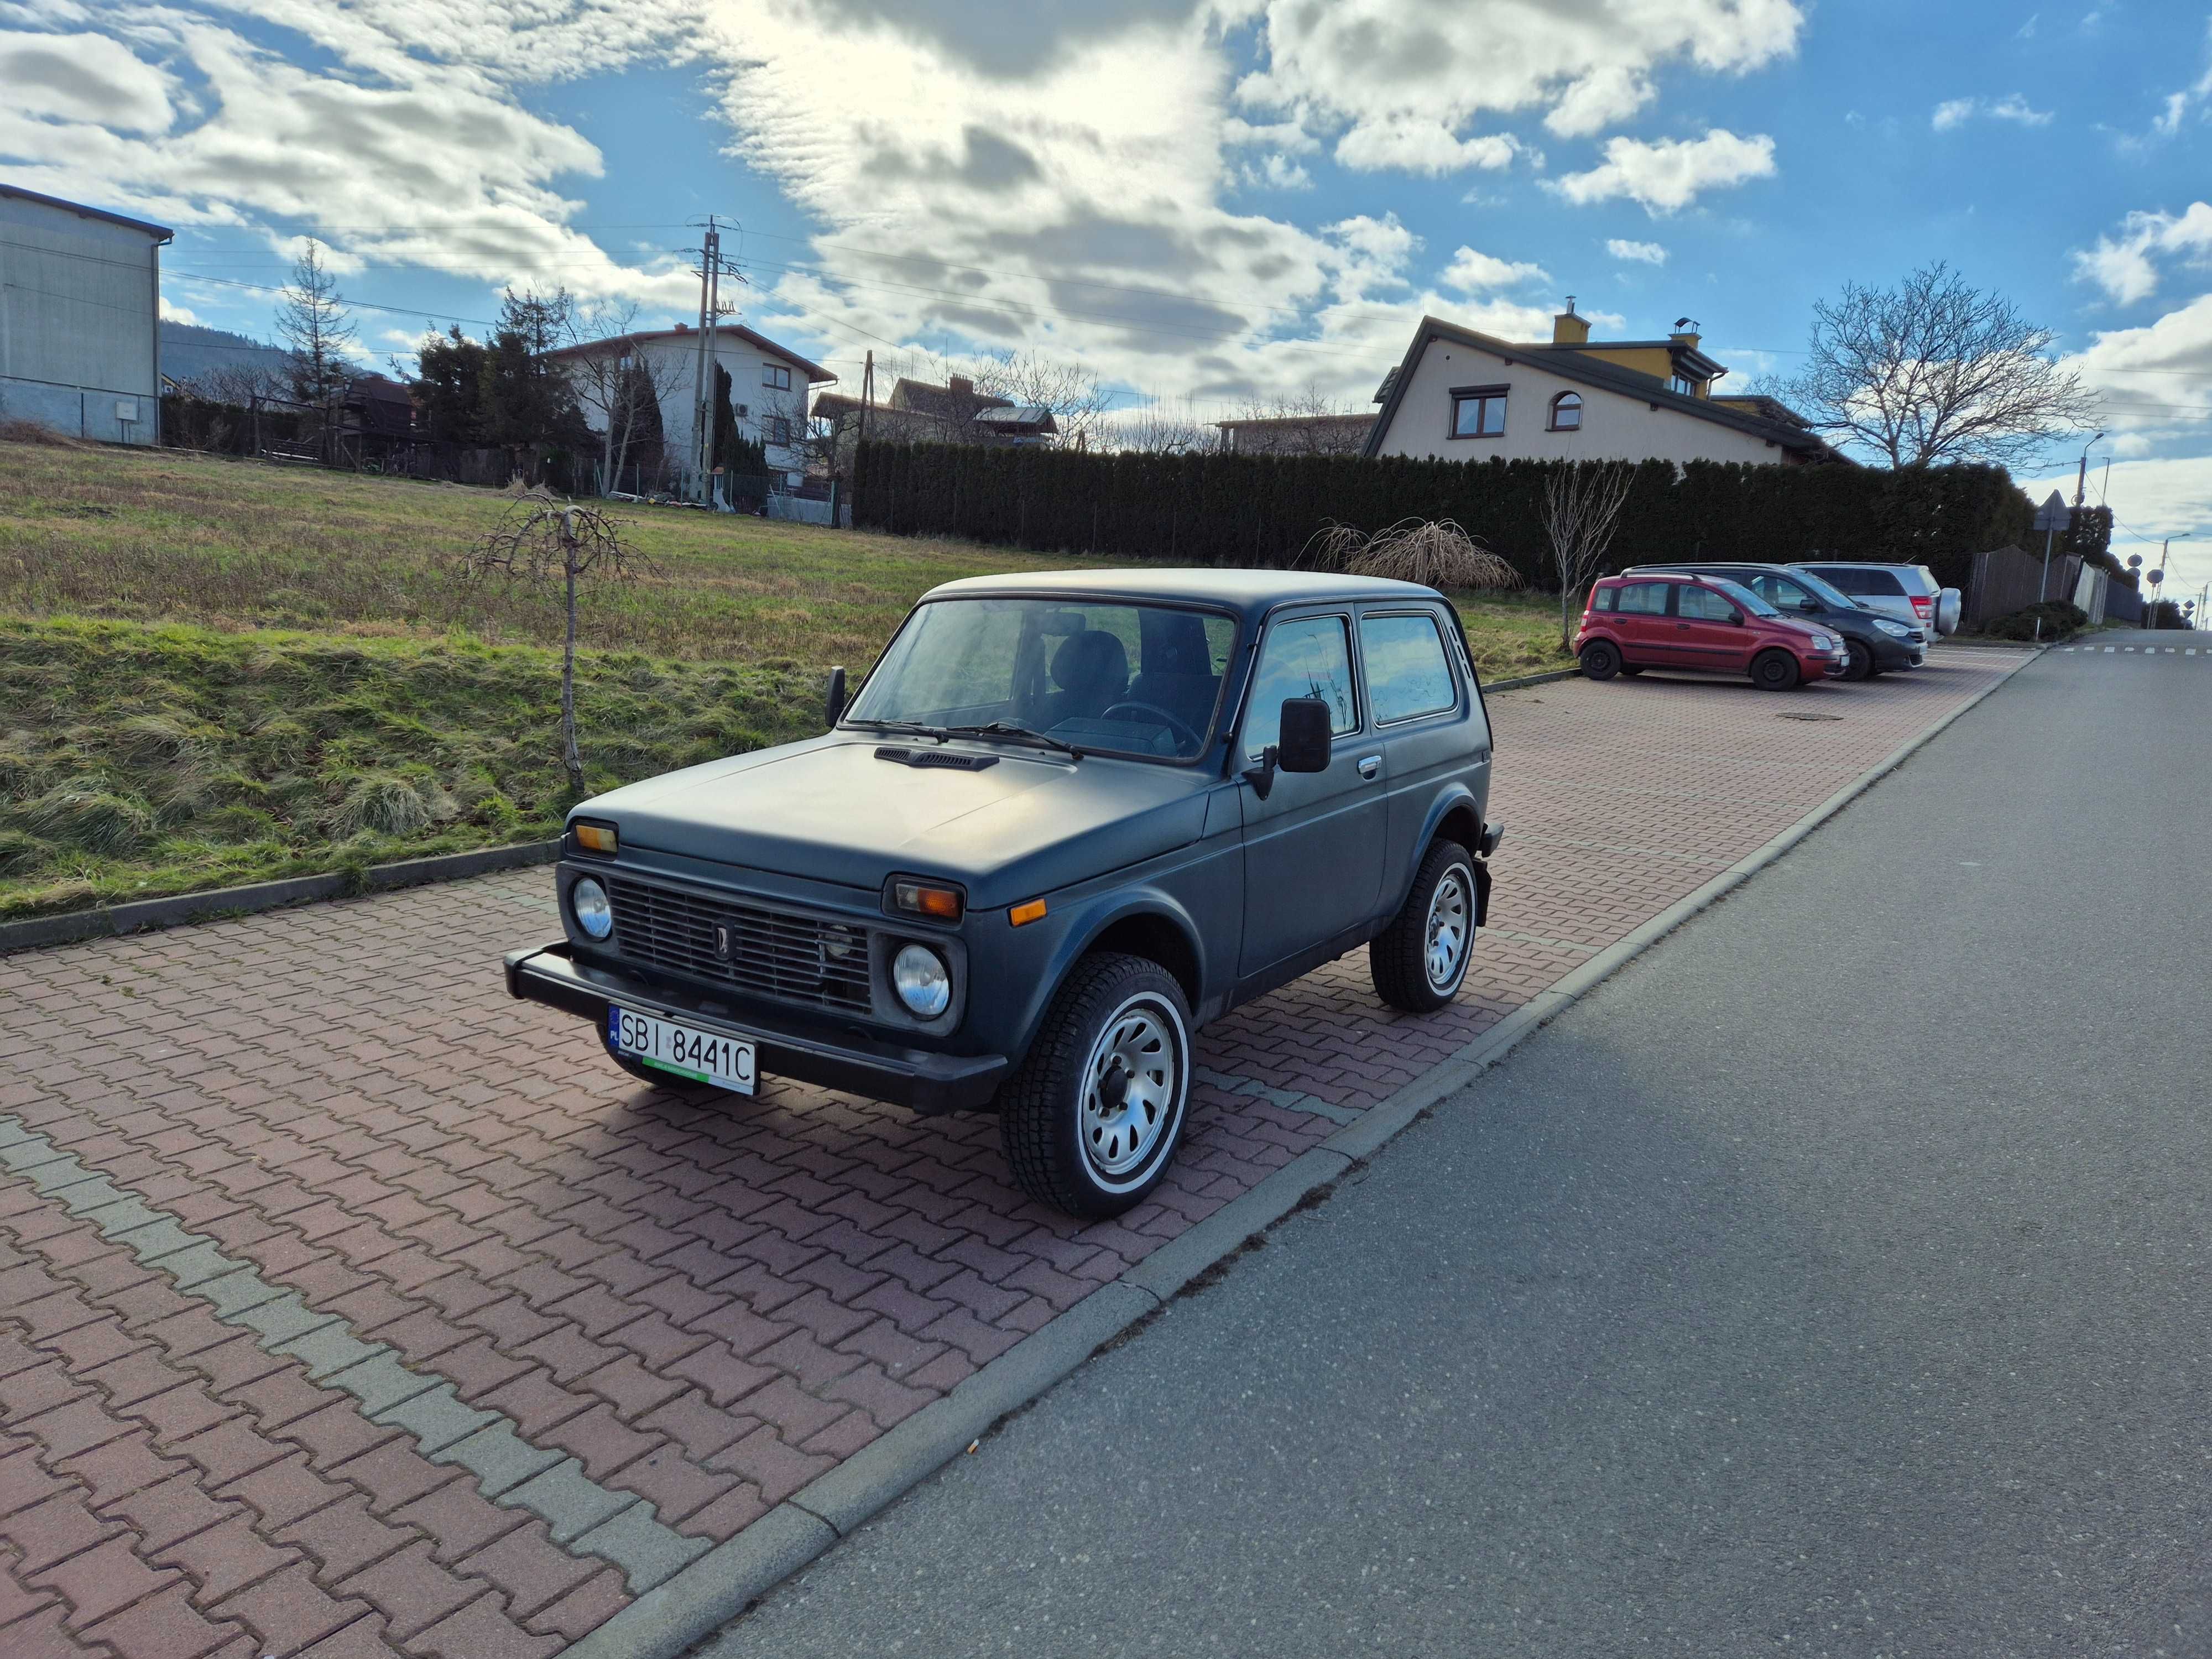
x=1468 y=397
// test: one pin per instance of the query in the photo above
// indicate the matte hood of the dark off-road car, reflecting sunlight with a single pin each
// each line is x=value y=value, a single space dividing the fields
x=831 y=811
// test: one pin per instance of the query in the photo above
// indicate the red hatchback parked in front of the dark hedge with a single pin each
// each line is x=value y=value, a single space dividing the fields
x=1700 y=625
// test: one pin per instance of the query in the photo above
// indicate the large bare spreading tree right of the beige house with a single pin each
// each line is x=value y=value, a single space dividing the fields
x=1934 y=371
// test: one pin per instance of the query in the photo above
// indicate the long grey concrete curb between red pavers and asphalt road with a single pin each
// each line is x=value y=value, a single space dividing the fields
x=724 y=1583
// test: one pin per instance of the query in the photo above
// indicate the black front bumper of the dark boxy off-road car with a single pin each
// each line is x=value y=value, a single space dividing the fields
x=926 y=1083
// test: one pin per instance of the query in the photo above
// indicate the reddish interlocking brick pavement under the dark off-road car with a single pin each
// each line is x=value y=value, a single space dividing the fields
x=353 y=1308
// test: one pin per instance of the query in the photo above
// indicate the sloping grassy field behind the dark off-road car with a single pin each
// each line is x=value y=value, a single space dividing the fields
x=227 y=671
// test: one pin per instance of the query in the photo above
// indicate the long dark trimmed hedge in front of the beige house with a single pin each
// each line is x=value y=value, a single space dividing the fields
x=1262 y=510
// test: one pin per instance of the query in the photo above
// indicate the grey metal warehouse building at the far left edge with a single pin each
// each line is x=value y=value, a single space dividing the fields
x=81 y=320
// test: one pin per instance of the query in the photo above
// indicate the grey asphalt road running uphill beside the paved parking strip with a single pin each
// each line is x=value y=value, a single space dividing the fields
x=1833 y=1282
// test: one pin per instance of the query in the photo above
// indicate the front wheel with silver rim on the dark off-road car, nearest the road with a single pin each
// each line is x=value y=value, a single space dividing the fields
x=1094 y=1116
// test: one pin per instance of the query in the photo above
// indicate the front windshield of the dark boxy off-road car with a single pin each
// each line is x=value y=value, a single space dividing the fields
x=1136 y=680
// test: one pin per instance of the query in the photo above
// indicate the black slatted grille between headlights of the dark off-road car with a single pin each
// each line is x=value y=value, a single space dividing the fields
x=771 y=952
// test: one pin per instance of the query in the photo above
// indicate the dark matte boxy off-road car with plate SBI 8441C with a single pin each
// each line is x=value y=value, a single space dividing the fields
x=1067 y=822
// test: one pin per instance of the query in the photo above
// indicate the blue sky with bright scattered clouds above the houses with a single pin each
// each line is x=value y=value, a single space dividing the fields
x=1204 y=200
